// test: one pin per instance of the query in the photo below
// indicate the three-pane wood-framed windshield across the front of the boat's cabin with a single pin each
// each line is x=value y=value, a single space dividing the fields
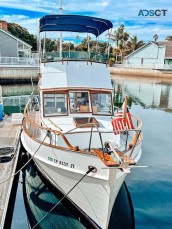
x=58 y=103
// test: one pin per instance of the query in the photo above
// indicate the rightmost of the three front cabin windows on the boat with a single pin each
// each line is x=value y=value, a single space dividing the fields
x=101 y=103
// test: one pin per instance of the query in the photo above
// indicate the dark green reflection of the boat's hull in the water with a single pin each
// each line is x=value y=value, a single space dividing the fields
x=40 y=197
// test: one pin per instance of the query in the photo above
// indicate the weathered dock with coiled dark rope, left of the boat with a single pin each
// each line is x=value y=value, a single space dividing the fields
x=9 y=152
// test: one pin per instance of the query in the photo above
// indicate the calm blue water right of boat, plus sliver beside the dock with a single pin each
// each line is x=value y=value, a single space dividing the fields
x=150 y=188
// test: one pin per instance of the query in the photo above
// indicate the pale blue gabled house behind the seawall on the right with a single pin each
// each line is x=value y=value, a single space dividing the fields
x=151 y=53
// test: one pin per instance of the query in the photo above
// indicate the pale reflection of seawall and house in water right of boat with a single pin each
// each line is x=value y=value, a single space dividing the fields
x=155 y=93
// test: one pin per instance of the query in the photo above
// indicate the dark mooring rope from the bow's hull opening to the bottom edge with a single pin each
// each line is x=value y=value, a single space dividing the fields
x=88 y=171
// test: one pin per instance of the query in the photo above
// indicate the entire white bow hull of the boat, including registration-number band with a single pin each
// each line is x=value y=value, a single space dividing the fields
x=94 y=195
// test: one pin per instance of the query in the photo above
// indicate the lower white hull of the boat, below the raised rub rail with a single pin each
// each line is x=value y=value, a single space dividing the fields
x=91 y=195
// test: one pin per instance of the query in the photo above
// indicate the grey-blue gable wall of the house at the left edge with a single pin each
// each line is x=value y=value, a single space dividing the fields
x=8 y=45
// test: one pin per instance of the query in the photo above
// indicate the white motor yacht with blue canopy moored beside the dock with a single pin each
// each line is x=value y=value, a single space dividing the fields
x=79 y=142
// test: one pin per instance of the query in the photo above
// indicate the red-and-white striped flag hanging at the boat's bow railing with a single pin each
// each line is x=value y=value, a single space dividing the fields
x=119 y=122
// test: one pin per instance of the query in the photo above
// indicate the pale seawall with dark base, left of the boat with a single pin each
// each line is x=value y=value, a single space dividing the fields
x=18 y=74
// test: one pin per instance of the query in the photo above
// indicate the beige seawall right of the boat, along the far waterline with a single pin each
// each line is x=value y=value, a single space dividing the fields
x=142 y=72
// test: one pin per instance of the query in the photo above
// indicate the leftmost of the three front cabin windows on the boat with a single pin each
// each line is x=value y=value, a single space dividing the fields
x=55 y=104
